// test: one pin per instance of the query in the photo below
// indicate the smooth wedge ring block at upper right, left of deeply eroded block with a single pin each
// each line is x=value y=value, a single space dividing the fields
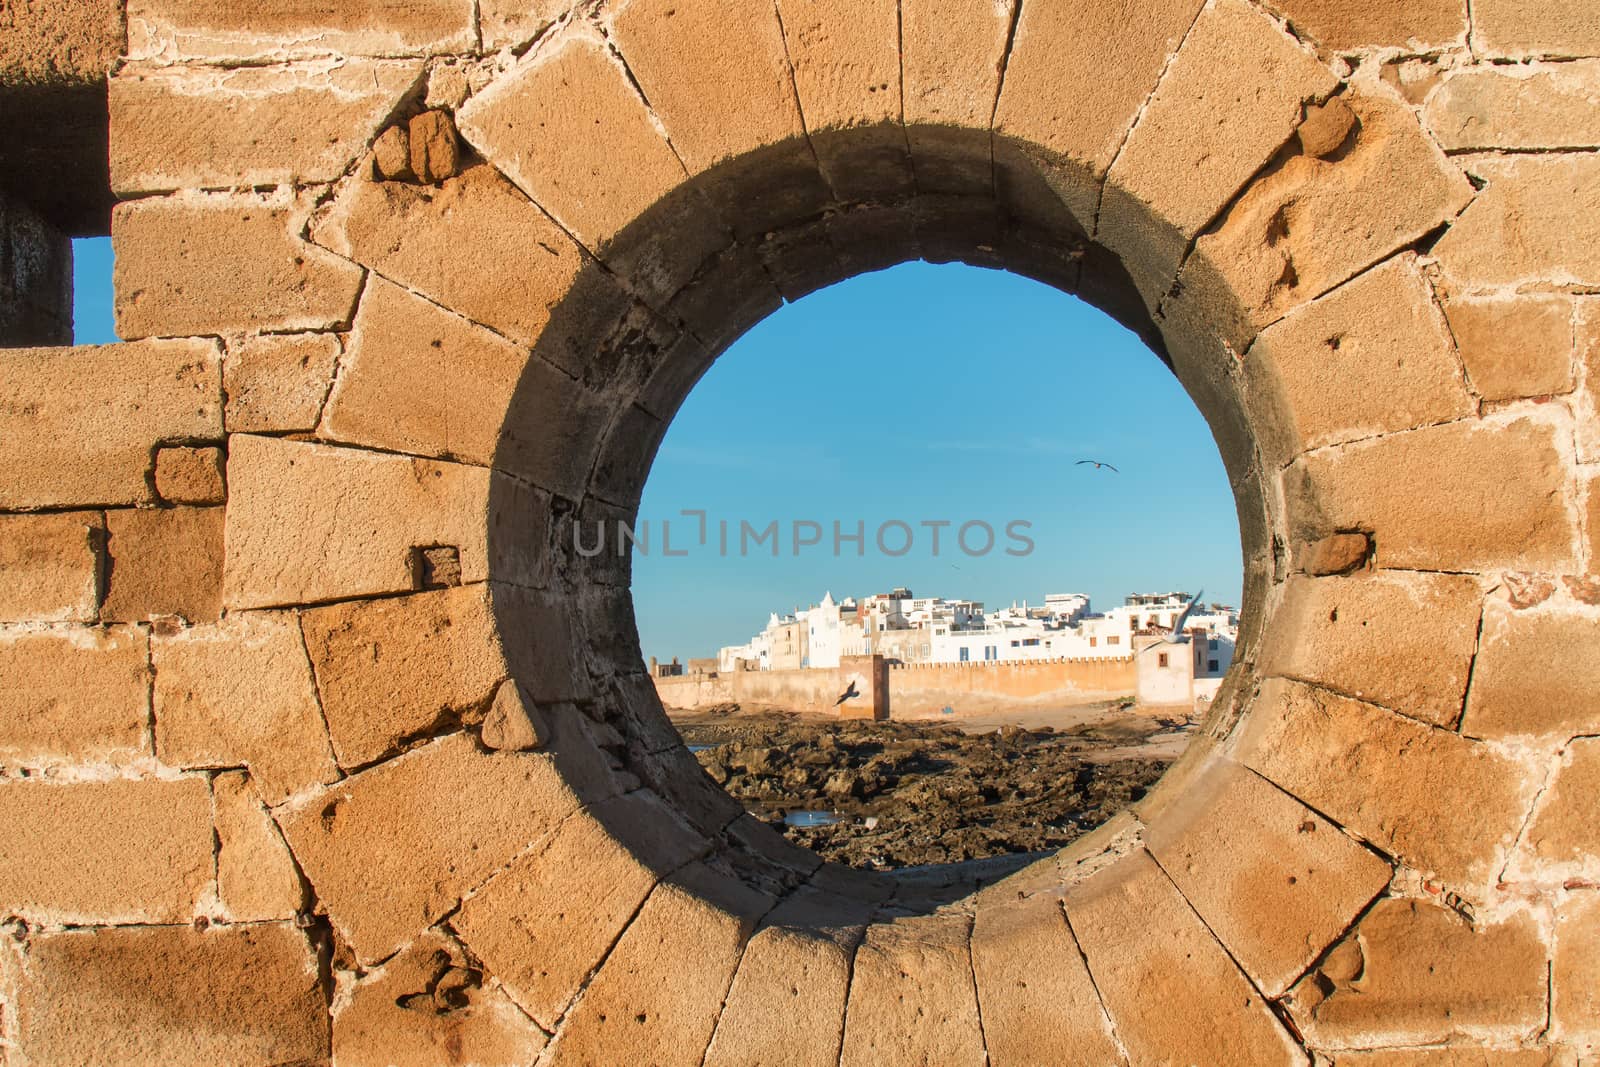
x=1238 y=78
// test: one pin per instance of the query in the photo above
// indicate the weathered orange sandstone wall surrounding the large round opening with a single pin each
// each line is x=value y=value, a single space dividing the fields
x=324 y=746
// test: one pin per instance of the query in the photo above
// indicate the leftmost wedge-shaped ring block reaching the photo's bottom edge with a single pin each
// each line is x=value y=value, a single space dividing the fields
x=644 y=999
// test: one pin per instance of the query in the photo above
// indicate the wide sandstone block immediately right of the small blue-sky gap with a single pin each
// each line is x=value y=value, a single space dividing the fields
x=209 y=265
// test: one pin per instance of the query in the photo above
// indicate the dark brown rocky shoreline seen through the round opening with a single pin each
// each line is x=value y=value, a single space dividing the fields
x=906 y=794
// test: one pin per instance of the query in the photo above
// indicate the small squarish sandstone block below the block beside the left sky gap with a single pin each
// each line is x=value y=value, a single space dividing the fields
x=279 y=382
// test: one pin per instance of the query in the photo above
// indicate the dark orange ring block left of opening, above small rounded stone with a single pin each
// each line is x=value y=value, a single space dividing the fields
x=398 y=669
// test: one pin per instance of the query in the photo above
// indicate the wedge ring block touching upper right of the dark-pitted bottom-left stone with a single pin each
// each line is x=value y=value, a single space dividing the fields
x=548 y=921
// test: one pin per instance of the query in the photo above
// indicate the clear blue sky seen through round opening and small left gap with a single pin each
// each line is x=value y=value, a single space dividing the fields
x=916 y=394
